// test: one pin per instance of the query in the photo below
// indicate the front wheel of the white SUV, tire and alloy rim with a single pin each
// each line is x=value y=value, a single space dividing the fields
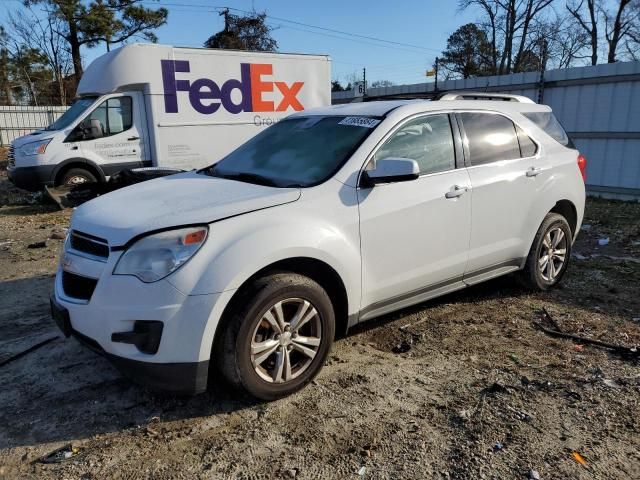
x=255 y=322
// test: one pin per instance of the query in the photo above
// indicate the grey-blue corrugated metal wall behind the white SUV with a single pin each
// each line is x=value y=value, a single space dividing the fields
x=599 y=107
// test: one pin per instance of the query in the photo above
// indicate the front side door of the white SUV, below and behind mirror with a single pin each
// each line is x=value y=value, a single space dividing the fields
x=415 y=234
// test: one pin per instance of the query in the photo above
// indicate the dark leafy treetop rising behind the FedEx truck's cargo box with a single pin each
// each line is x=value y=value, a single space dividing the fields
x=248 y=32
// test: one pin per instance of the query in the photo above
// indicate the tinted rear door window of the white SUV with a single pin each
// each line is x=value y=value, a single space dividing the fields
x=491 y=137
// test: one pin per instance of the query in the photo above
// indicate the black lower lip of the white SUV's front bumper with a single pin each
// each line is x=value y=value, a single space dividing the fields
x=186 y=378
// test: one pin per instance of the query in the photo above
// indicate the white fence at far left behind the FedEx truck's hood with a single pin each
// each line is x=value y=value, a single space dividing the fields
x=16 y=121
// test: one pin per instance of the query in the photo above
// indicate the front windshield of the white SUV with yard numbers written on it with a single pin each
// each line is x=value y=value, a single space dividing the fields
x=299 y=151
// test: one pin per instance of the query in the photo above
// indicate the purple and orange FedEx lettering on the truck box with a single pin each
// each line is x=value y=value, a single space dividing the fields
x=206 y=96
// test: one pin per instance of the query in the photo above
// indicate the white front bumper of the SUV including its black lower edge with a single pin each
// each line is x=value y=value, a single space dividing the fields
x=181 y=362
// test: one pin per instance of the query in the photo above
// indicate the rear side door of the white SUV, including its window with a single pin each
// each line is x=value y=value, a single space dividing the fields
x=507 y=175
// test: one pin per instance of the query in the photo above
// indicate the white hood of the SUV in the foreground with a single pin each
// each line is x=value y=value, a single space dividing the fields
x=182 y=199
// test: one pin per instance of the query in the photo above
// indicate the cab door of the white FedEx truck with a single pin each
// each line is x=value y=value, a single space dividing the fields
x=116 y=141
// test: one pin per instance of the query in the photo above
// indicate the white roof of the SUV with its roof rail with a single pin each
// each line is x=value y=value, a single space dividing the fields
x=408 y=107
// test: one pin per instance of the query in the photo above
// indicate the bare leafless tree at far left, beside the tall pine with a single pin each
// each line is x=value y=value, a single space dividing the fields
x=40 y=34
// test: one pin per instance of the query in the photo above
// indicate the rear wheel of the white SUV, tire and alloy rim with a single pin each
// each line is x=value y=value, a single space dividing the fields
x=539 y=274
